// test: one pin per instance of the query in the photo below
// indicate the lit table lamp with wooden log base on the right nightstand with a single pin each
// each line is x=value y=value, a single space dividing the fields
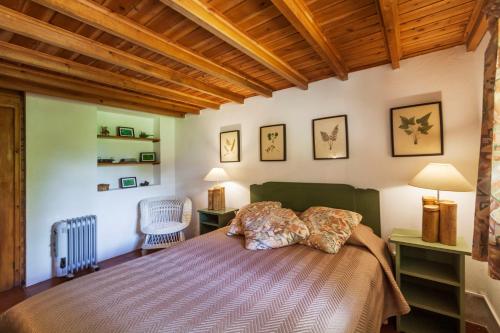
x=440 y=216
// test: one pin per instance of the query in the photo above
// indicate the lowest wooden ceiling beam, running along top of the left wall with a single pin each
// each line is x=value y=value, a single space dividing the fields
x=19 y=85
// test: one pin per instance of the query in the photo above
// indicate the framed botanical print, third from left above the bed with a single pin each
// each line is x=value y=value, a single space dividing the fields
x=330 y=138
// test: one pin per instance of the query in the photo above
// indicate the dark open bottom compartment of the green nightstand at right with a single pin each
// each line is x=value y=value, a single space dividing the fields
x=418 y=321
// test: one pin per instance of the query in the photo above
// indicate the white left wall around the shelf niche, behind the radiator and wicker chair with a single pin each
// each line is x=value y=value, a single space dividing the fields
x=61 y=149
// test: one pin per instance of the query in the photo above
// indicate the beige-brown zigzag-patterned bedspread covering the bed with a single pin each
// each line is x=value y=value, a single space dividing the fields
x=212 y=284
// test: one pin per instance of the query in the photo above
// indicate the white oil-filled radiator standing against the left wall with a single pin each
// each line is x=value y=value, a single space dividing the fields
x=74 y=245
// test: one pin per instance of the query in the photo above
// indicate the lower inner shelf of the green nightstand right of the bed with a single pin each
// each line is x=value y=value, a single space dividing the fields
x=430 y=298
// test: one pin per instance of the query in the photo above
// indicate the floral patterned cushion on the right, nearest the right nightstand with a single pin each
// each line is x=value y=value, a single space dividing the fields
x=329 y=227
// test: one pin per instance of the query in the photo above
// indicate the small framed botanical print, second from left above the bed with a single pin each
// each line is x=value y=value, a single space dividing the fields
x=273 y=143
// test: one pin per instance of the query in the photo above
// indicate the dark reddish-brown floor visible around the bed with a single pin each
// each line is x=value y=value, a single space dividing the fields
x=10 y=298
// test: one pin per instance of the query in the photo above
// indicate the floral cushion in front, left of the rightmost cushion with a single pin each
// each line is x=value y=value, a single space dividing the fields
x=272 y=229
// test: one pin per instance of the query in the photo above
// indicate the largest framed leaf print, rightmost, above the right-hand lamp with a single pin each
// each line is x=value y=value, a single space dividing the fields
x=417 y=130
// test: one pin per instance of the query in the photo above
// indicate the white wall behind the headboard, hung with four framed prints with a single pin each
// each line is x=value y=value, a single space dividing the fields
x=452 y=76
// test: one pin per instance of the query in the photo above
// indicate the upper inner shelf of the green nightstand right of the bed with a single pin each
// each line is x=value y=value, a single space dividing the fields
x=429 y=270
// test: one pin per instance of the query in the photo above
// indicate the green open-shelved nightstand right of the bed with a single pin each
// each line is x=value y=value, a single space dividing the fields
x=432 y=279
